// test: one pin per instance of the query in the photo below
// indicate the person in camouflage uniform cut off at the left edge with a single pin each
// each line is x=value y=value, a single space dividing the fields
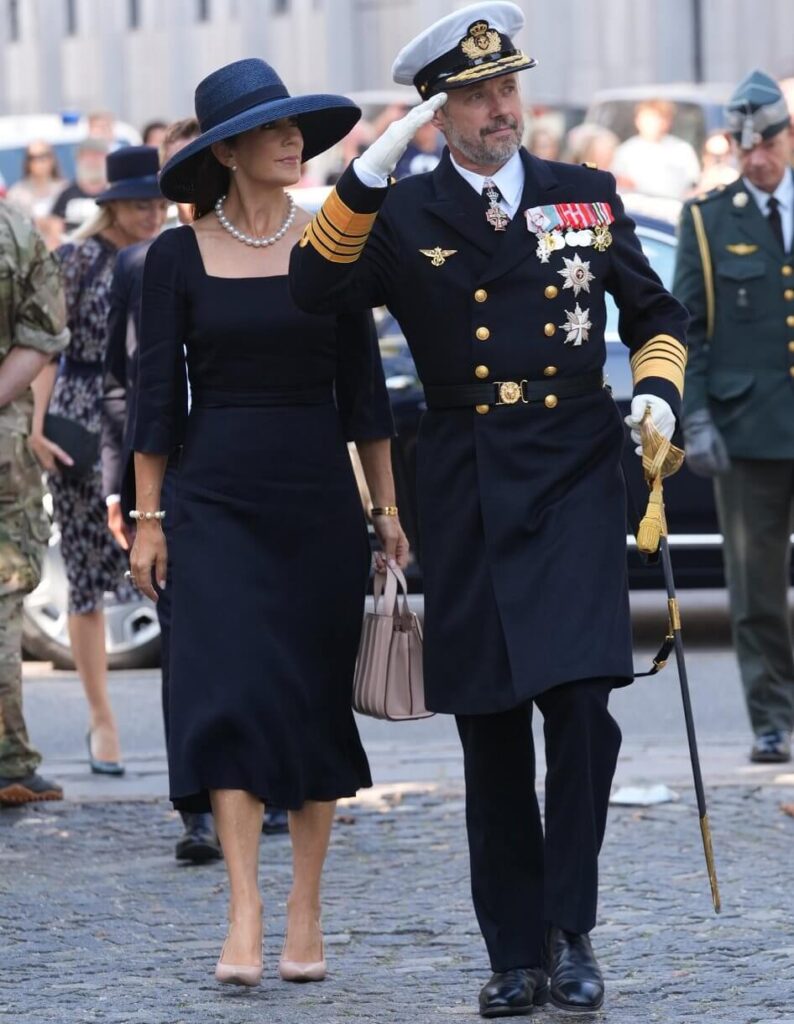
x=32 y=331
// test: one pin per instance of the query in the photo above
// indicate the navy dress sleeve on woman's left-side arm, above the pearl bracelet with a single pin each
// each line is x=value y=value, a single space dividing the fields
x=161 y=410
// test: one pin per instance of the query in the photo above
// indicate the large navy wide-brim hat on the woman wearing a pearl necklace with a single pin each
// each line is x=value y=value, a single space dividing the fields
x=243 y=96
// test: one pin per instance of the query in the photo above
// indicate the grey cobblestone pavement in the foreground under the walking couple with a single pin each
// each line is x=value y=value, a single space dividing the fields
x=100 y=924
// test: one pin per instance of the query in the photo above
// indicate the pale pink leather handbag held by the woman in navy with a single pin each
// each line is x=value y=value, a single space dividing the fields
x=389 y=680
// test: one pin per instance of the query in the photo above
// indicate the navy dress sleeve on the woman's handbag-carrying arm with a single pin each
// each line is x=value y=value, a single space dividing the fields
x=362 y=397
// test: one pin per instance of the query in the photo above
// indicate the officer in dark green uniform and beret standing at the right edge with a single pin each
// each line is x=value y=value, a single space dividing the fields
x=736 y=276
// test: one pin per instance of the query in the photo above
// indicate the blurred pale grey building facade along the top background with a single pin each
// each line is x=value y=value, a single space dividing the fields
x=142 y=59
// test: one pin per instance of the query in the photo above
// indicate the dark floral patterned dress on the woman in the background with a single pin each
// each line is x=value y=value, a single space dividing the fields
x=94 y=561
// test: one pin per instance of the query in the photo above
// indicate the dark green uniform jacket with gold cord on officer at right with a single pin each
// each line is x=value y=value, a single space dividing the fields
x=739 y=288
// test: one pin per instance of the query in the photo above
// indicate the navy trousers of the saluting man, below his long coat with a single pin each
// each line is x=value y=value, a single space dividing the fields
x=521 y=879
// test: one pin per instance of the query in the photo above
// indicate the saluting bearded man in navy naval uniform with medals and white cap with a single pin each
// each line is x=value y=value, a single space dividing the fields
x=496 y=266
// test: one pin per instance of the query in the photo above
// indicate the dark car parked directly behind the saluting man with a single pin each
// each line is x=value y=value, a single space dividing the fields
x=695 y=539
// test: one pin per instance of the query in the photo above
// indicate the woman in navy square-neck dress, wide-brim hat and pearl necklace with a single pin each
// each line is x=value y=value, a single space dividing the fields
x=269 y=539
